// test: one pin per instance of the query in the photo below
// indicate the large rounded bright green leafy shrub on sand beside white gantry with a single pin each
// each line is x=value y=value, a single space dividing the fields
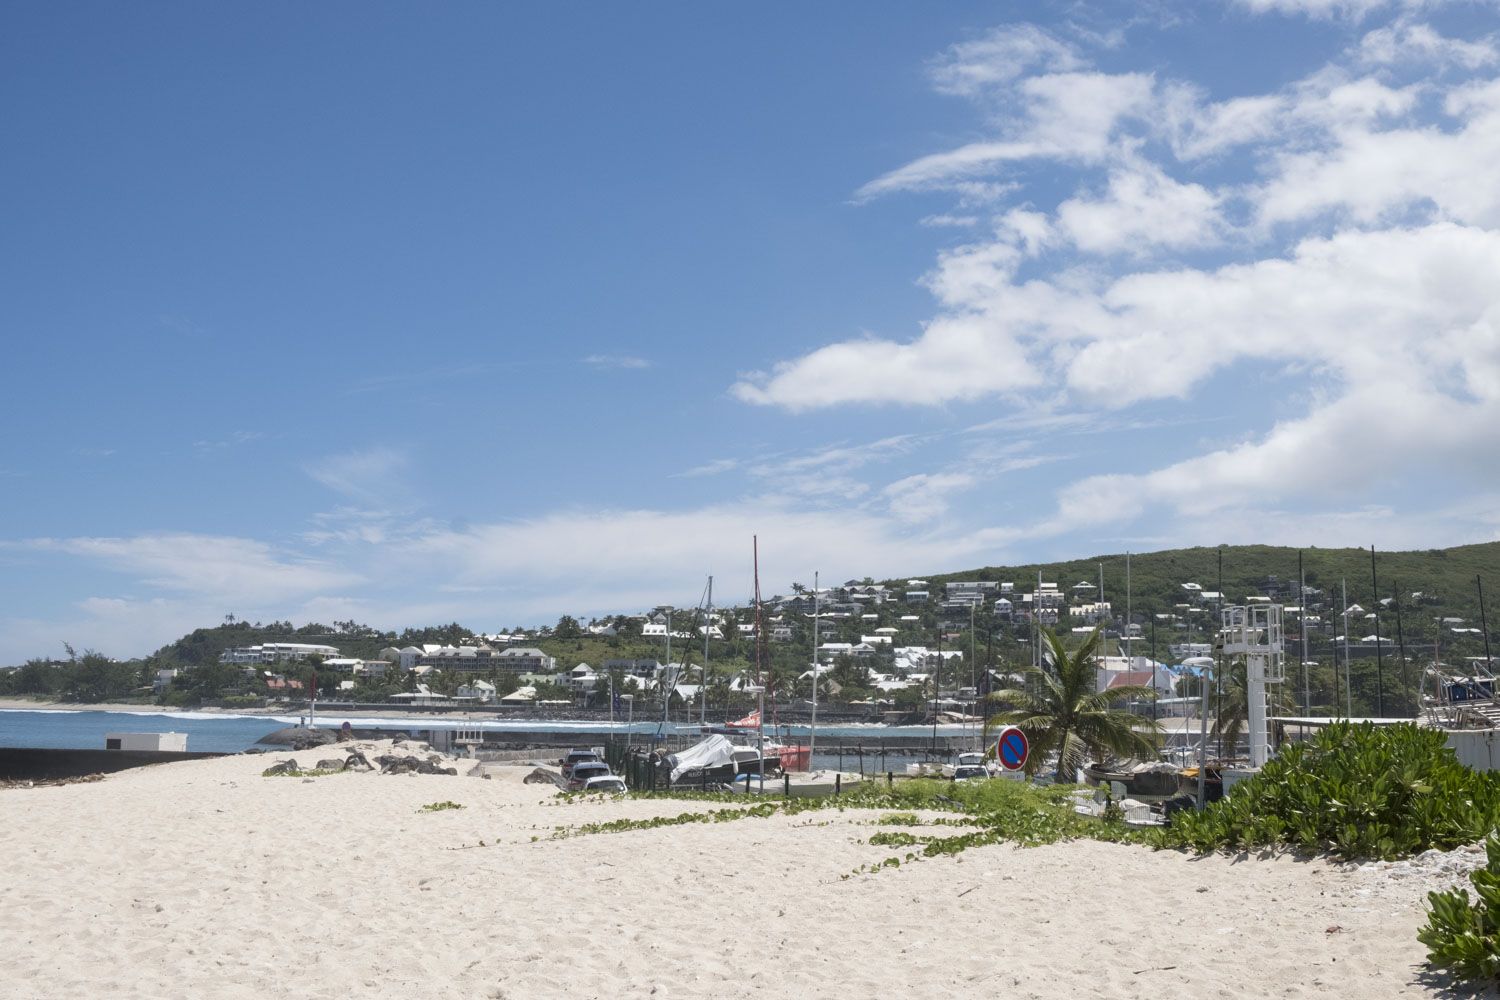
x=1355 y=791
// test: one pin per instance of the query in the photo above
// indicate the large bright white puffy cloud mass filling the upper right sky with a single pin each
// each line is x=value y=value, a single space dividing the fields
x=1348 y=235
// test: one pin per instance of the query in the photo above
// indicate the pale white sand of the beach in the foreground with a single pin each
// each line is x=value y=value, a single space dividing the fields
x=205 y=879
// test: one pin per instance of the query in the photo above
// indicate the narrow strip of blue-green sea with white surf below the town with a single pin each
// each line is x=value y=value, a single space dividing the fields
x=232 y=734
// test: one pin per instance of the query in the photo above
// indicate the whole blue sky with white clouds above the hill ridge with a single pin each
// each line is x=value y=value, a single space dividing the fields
x=497 y=313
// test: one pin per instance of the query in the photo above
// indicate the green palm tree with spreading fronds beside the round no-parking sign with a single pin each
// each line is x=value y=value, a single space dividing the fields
x=1067 y=716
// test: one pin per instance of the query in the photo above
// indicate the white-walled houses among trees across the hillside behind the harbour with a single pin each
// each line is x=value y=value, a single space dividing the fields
x=895 y=651
